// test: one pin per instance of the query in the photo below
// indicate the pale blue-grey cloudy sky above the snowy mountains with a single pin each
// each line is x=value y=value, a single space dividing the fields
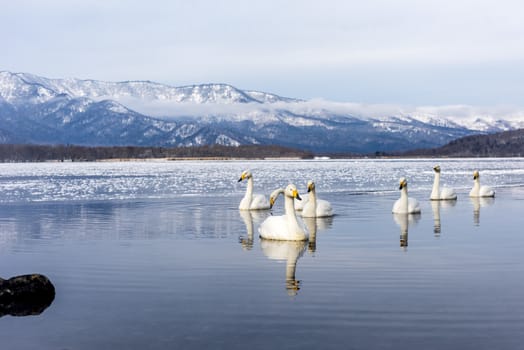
x=407 y=52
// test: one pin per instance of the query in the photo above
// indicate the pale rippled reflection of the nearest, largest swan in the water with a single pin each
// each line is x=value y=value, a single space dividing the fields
x=290 y=252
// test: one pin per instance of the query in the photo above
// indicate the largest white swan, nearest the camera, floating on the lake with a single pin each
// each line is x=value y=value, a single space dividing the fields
x=284 y=227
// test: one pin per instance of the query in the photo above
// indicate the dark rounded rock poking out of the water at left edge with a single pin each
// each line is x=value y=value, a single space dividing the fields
x=25 y=295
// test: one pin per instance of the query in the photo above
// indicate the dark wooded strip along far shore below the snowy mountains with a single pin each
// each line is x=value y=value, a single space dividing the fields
x=503 y=144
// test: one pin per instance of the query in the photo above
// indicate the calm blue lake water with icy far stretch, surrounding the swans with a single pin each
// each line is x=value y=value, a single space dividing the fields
x=156 y=255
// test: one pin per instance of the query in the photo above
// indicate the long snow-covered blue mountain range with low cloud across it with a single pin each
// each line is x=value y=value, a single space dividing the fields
x=35 y=109
